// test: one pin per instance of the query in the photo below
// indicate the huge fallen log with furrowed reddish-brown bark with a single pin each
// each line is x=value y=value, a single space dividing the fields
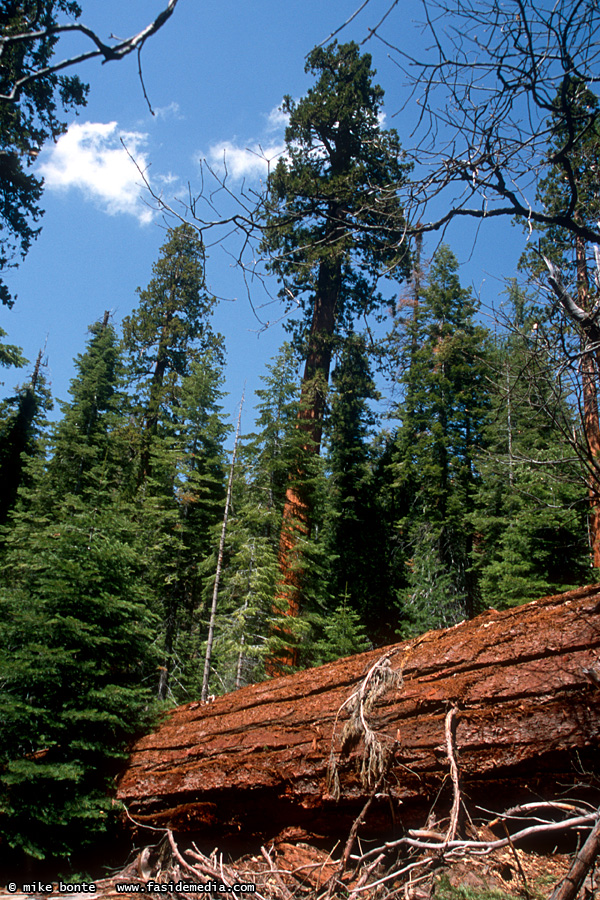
x=525 y=685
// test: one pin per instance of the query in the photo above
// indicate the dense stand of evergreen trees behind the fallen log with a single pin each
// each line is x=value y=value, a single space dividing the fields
x=413 y=460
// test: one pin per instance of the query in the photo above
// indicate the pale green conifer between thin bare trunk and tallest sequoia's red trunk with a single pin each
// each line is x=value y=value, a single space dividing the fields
x=253 y=626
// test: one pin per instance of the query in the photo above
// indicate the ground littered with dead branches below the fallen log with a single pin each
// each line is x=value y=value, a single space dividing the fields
x=290 y=871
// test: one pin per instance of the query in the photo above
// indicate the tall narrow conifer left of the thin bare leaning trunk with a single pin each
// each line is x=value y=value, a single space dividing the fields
x=174 y=371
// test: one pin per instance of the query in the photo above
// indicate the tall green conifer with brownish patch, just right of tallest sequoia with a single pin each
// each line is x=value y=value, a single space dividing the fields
x=443 y=416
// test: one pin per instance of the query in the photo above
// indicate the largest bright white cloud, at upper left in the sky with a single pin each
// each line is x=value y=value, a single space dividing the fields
x=91 y=158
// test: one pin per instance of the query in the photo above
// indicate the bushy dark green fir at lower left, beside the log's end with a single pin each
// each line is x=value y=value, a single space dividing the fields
x=76 y=657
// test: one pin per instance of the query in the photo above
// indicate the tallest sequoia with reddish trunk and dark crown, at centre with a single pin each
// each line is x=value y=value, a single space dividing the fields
x=334 y=227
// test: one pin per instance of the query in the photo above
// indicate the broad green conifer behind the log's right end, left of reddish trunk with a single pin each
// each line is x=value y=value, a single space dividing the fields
x=530 y=503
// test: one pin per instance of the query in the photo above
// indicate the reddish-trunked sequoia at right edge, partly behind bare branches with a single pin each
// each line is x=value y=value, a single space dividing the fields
x=574 y=267
